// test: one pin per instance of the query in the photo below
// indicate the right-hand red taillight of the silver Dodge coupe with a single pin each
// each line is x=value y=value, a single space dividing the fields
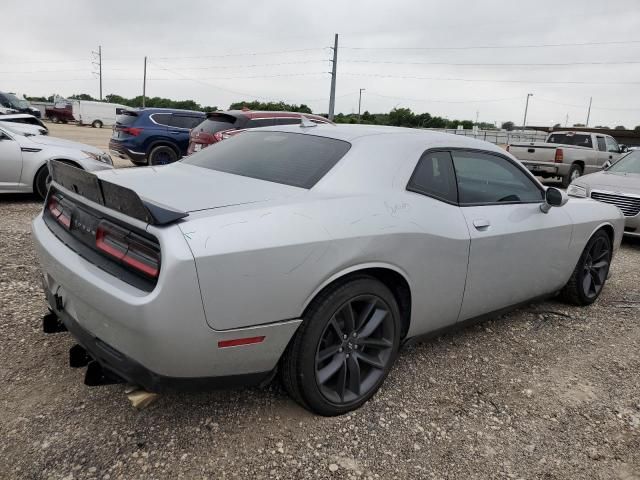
x=128 y=248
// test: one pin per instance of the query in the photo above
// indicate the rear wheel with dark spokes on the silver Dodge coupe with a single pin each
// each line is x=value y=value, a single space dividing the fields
x=336 y=361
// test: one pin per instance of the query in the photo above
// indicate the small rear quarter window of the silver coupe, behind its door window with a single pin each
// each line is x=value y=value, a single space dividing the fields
x=434 y=176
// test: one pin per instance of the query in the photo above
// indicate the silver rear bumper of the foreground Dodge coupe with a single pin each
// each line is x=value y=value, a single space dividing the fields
x=156 y=338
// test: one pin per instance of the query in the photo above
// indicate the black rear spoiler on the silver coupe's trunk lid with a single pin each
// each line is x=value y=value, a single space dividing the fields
x=111 y=195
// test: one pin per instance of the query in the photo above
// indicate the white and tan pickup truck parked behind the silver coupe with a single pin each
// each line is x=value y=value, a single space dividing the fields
x=567 y=155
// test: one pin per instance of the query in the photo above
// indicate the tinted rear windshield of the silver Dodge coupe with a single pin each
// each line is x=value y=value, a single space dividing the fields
x=294 y=159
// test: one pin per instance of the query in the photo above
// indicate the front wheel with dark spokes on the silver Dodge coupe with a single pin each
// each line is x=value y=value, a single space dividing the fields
x=589 y=276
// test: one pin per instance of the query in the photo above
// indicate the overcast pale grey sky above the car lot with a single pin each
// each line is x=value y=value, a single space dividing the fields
x=457 y=59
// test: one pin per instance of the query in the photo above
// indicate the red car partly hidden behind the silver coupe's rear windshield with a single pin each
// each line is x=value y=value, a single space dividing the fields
x=220 y=125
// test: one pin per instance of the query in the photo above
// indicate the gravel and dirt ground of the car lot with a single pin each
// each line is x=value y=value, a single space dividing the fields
x=549 y=392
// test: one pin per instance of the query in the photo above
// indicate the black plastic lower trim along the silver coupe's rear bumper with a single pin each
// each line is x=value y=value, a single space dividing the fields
x=131 y=371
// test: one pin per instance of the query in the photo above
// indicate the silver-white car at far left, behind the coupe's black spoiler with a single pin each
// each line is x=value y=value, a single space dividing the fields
x=23 y=165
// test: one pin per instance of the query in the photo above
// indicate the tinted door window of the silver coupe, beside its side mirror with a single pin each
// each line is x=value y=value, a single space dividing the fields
x=486 y=178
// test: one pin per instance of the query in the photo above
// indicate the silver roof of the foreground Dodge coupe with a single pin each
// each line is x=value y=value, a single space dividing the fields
x=354 y=133
